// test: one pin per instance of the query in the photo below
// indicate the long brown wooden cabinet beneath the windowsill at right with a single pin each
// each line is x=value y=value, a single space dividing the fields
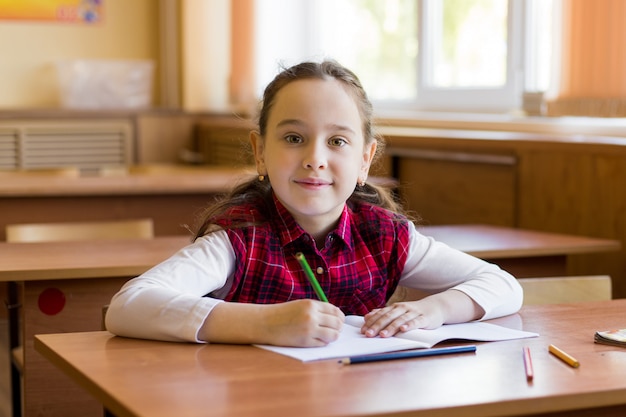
x=563 y=184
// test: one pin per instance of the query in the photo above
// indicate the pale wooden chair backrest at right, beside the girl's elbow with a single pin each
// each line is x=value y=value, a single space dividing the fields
x=553 y=290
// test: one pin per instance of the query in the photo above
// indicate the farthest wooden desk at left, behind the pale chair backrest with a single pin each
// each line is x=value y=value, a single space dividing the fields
x=172 y=197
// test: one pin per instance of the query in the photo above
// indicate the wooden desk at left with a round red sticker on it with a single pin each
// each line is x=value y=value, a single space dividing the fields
x=77 y=278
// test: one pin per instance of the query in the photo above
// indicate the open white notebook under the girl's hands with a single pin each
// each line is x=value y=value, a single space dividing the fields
x=352 y=343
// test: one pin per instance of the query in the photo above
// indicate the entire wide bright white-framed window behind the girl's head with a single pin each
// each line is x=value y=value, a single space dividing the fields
x=457 y=55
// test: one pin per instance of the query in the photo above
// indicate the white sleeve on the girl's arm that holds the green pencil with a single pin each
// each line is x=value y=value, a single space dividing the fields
x=167 y=302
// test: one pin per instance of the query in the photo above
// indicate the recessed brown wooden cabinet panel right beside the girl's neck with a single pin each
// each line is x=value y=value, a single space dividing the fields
x=447 y=187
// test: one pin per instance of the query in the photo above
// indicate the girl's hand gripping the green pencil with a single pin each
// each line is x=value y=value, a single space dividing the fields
x=302 y=323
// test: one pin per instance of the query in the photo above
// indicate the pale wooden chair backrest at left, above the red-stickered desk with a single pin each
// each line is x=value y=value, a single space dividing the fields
x=48 y=232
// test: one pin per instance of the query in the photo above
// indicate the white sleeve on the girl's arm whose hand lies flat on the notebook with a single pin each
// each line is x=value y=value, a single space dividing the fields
x=433 y=266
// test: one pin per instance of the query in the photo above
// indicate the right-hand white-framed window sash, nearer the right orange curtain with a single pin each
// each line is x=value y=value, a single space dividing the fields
x=470 y=55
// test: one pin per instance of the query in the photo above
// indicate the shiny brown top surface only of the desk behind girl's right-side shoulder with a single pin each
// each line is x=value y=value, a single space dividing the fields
x=492 y=242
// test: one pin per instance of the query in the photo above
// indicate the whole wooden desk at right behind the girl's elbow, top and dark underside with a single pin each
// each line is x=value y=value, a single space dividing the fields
x=523 y=253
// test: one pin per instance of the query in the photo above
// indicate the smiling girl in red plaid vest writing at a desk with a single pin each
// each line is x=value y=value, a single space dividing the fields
x=239 y=282
